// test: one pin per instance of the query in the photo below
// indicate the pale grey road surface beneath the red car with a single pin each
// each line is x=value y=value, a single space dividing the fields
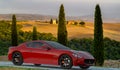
x=51 y=67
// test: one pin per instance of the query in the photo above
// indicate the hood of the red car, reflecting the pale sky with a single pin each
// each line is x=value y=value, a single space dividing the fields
x=83 y=54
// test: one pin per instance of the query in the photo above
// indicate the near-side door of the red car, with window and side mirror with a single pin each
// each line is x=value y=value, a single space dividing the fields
x=44 y=54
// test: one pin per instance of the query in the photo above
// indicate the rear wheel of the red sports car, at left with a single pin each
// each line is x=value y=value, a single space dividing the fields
x=17 y=58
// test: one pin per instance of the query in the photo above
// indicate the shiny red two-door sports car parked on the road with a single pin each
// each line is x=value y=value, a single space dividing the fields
x=49 y=52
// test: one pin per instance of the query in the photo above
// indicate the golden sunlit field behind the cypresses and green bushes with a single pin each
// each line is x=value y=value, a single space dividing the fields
x=111 y=30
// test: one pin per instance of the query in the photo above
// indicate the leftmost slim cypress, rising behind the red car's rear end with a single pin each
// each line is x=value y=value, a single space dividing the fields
x=14 y=35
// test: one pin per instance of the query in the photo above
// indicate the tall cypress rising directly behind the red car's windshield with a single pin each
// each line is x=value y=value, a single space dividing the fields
x=62 y=31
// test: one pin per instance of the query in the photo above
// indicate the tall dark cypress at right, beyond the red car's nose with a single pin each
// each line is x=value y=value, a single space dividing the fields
x=98 y=37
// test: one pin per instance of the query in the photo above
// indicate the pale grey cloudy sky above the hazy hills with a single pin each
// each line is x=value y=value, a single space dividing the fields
x=51 y=7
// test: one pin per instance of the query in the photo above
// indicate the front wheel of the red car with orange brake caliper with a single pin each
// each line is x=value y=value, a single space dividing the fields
x=65 y=62
